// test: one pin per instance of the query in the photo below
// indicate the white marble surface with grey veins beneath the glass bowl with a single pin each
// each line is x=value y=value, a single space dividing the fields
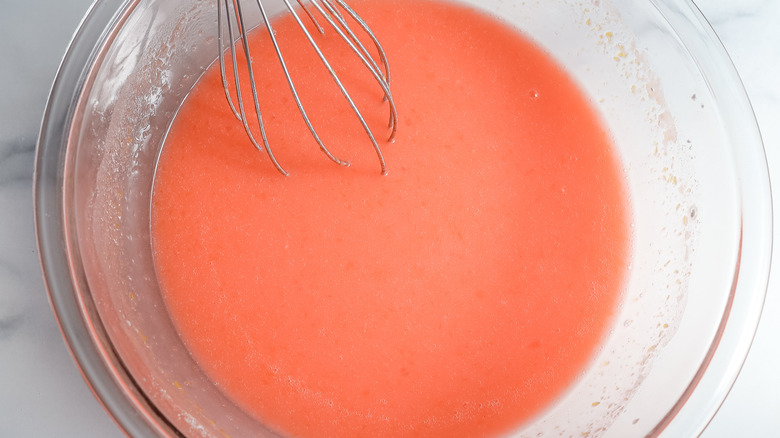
x=41 y=391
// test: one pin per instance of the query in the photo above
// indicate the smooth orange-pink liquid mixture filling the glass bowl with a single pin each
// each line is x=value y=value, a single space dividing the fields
x=459 y=295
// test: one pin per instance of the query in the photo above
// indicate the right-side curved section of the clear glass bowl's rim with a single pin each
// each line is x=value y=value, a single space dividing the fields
x=701 y=400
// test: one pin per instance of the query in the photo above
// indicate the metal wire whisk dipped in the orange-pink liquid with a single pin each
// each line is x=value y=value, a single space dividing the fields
x=336 y=13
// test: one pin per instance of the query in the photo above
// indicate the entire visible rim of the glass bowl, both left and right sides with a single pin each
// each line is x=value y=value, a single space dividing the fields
x=135 y=414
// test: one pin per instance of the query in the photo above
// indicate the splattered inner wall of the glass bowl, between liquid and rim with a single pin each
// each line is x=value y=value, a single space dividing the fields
x=679 y=152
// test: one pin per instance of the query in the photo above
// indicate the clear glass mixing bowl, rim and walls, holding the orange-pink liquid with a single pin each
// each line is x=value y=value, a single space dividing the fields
x=684 y=129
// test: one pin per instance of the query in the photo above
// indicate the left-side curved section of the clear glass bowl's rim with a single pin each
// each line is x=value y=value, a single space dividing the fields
x=85 y=336
